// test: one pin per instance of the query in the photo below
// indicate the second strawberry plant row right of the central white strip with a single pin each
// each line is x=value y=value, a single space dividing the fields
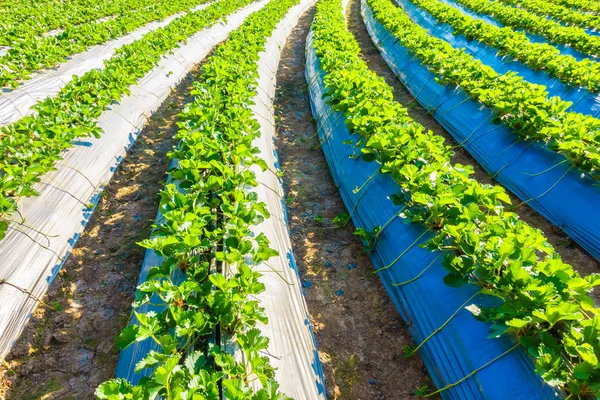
x=522 y=106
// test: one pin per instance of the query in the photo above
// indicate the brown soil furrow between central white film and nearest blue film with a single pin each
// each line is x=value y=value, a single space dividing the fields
x=359 y=334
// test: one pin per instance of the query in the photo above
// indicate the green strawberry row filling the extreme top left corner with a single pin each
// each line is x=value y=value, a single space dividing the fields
x=24 y=19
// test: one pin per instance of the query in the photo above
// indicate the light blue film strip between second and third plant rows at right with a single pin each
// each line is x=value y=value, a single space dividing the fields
x=584 y=101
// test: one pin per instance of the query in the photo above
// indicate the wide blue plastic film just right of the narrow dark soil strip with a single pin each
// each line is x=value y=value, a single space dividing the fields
x=536 y=174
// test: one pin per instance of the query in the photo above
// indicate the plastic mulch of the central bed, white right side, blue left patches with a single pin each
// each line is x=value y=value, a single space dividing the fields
x=291 y=341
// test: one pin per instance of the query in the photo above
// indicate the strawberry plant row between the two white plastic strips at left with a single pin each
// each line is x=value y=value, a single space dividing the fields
x=31 y=146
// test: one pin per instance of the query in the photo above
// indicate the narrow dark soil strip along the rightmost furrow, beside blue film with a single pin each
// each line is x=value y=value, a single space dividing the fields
x=570 y=251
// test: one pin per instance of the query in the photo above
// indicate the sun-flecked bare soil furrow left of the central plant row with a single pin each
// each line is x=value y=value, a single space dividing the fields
x=66 y=354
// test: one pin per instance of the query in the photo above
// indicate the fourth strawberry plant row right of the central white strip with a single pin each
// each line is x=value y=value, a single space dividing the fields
x=551 y=30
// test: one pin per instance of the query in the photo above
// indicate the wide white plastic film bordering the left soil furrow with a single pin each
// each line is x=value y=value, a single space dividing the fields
x=61 y=208
